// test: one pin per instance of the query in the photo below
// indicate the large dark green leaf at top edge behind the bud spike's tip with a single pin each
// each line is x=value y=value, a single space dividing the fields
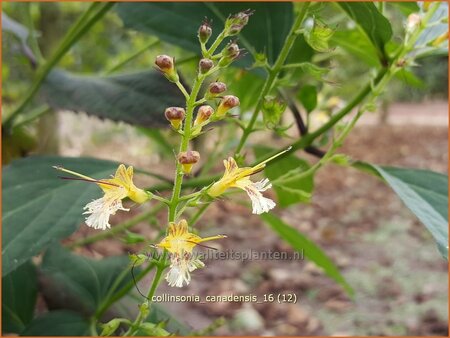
x=177 y=23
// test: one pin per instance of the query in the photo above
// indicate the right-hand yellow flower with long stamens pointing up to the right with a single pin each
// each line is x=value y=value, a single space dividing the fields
x=239 y=178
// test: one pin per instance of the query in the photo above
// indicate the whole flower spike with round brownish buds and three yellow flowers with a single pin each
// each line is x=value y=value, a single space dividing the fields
x=189 y=122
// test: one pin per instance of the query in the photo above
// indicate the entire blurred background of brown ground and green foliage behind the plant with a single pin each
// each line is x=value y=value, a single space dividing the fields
x=383 y=251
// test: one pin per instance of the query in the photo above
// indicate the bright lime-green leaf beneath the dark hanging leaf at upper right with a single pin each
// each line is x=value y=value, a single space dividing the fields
x=357 y=44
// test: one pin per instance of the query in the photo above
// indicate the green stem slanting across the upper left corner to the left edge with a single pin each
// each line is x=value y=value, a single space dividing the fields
x=84 y=23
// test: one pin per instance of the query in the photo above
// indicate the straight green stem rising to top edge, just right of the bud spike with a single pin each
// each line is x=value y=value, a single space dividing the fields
x=273 y=73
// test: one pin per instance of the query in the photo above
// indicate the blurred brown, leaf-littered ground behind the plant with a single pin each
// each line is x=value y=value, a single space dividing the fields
x=383 y=251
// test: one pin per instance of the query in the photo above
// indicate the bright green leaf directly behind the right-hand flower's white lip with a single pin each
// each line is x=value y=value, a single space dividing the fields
x=297 y=190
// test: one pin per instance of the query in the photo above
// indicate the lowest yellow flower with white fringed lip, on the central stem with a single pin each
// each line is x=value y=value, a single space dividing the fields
x=179 y=243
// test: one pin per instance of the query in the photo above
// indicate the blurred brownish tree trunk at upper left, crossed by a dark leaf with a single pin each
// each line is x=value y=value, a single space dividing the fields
x=49 y=27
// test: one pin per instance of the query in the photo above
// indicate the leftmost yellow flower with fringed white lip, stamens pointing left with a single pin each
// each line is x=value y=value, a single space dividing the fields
x=115 y=190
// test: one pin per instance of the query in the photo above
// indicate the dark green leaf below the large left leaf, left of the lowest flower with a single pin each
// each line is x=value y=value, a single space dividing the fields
x=79 y=283
